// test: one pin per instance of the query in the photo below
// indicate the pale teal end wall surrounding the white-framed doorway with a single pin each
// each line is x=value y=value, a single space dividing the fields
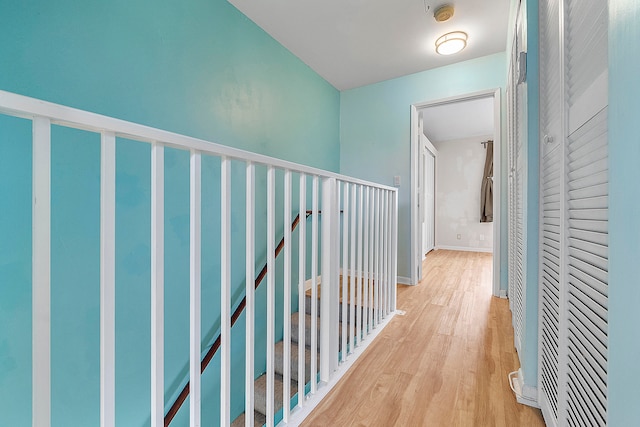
x=375 y=142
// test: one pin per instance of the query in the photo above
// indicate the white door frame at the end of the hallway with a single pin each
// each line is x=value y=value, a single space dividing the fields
x=416 y=233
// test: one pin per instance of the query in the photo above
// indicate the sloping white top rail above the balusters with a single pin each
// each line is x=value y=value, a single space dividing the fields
x=23 y=106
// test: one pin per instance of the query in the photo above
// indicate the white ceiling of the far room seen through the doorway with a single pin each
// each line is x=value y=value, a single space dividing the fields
x=459 y=120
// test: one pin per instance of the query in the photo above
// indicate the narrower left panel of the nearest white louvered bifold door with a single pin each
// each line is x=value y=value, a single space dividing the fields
x=551 y=206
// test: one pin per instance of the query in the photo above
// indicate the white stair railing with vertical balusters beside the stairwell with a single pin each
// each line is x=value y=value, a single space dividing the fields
x=351 y=240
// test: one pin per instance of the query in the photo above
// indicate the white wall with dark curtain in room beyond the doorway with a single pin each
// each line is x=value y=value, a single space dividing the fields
x=459 y=178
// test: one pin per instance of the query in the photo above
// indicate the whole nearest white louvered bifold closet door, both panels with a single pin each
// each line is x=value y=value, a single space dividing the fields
x=574 y=255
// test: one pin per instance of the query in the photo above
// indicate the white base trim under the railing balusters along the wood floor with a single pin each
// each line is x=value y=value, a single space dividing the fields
x=300 y=414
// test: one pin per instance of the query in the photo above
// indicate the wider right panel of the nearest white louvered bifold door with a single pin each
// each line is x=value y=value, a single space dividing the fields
x=586 y=47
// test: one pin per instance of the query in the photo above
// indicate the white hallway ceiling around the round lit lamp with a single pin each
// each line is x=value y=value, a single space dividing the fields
x=353 y=43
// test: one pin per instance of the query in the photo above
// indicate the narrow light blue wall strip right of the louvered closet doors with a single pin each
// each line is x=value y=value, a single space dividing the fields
x=624 y=211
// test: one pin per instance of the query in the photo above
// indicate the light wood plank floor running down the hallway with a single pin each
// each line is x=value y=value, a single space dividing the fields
x=445 y=363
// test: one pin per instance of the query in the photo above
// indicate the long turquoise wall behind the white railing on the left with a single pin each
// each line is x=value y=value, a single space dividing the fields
x=199 y=68
